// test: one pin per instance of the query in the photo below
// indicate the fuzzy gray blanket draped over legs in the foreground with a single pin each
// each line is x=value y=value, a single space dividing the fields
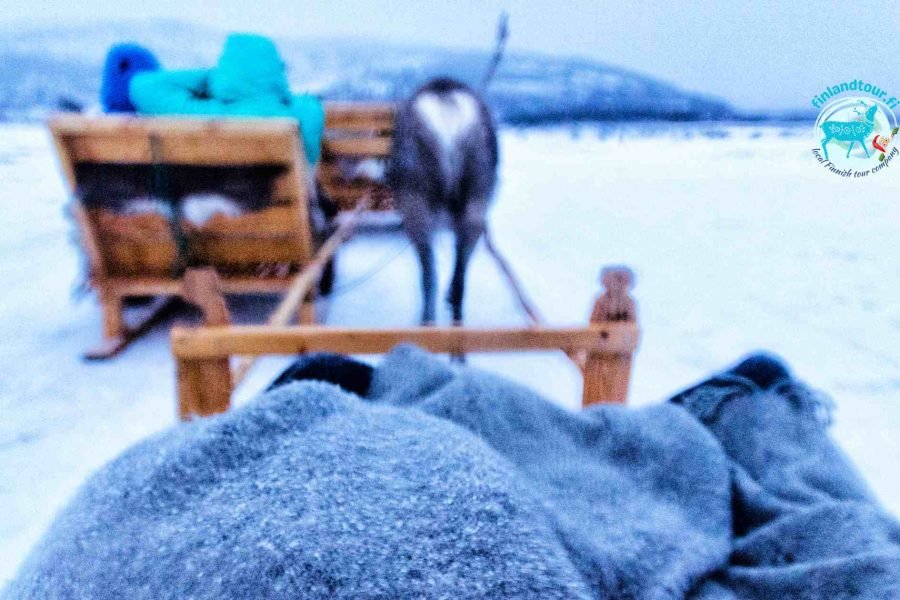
x=447 y=483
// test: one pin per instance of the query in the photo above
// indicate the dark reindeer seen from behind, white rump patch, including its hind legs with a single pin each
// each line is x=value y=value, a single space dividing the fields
x=443 y=161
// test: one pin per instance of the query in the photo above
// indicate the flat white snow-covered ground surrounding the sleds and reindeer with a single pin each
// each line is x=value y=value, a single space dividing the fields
x=739 y=239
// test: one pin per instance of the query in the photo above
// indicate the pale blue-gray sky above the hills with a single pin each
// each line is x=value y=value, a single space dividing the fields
x=755 y=54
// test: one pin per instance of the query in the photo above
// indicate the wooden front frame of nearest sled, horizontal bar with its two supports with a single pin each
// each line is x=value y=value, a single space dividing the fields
x=206 y=377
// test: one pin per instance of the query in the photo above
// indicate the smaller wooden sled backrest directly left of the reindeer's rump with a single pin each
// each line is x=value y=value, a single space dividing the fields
x=355 y=132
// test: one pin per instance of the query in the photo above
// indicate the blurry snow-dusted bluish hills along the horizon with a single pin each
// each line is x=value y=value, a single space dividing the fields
x=39 y=67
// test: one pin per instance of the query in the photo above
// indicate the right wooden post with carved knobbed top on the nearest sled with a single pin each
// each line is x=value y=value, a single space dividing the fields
x=606 y=376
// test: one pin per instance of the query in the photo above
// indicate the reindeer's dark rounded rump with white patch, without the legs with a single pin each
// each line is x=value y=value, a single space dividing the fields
x=445 y=146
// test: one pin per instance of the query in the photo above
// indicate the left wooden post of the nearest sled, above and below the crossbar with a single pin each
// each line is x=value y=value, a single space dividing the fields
x=204 y=386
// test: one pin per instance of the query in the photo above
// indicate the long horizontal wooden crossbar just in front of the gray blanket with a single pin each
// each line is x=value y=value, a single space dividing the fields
x=213 y=342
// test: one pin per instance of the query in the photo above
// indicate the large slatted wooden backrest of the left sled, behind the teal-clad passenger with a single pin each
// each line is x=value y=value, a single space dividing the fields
x=143 y=244
